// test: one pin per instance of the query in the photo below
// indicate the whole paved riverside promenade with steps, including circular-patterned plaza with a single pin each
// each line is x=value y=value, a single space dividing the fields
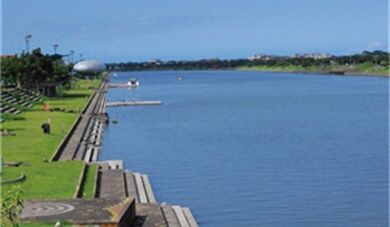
x=121 y=197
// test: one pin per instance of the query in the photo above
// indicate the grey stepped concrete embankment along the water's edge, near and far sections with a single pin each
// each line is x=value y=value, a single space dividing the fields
x=112 y=181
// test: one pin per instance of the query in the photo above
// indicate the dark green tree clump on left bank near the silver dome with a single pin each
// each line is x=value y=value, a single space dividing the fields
x=35 y=69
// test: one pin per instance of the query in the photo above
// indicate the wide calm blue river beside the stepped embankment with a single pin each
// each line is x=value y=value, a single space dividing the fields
x=258 y=149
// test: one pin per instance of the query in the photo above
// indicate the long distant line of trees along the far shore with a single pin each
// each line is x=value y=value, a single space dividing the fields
x=380 y=58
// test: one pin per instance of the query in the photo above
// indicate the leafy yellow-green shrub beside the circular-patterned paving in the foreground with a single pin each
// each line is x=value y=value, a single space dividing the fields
x=11 y=206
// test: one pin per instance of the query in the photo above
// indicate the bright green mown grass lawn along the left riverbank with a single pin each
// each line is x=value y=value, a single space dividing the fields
x=31 y=146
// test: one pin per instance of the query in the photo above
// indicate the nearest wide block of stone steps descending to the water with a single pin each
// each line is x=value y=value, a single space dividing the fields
x=113 y=182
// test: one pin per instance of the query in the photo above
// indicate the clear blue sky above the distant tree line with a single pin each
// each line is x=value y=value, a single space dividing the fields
x=140 y=30
